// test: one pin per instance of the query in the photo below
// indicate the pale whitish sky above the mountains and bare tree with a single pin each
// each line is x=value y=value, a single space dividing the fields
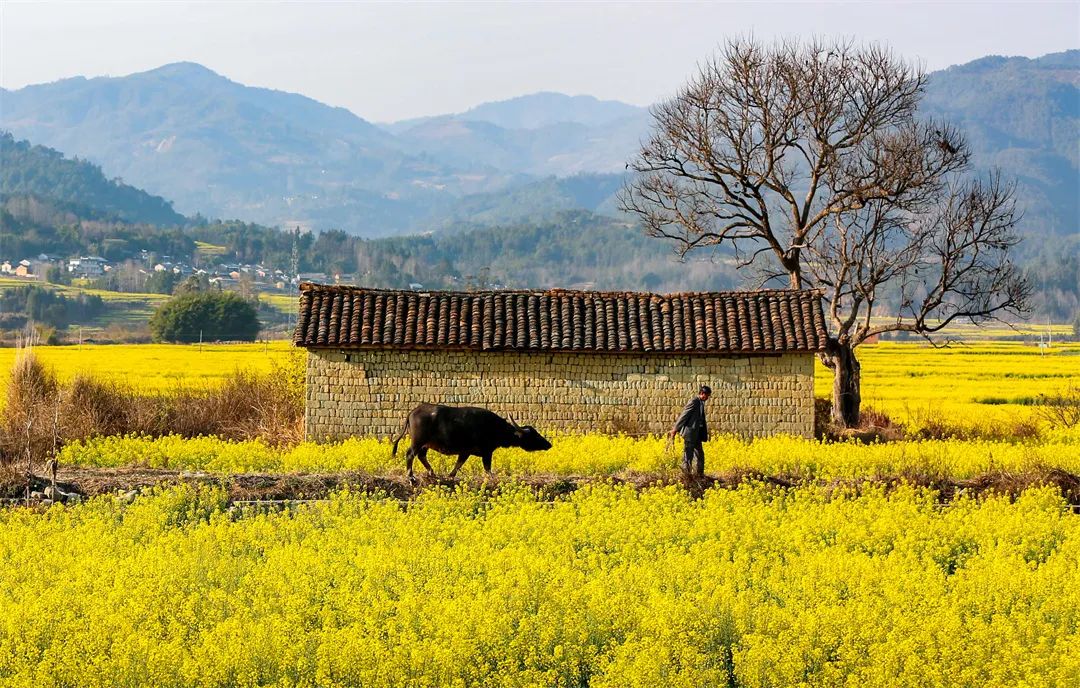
x=395 y=61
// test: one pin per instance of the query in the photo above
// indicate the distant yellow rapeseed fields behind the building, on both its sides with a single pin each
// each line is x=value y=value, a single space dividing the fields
x=982 y=384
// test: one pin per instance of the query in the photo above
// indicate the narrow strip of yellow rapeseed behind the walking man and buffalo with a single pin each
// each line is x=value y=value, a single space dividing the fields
x=598 y=455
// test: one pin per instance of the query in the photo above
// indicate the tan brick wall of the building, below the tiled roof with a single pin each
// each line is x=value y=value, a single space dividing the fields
x=371 y=393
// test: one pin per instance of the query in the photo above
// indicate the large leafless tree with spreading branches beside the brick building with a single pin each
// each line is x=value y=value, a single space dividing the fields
x=811 y=163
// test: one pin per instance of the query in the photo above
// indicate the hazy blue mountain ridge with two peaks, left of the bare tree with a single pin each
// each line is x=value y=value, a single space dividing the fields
x=223 y=150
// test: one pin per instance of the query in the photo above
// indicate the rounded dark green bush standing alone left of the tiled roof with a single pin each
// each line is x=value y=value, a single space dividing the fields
x=206 y=317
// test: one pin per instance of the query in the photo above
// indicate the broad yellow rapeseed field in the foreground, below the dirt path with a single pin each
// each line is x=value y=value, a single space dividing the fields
x=607 y=588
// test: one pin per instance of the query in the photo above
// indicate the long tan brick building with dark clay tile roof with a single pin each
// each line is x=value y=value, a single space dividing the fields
x=579 y=361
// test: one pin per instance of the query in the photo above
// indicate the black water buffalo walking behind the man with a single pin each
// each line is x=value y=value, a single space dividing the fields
x=465 y=431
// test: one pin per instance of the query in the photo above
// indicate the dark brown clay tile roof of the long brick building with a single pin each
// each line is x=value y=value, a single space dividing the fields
x=775 y=321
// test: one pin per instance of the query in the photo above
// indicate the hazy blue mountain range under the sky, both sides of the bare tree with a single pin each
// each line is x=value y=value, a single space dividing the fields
x=223 y=150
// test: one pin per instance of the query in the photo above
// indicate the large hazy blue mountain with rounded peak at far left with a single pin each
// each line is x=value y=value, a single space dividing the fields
x=221 y=149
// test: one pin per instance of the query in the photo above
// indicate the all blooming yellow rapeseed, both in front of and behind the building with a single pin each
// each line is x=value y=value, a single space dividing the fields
x=611 y=586
